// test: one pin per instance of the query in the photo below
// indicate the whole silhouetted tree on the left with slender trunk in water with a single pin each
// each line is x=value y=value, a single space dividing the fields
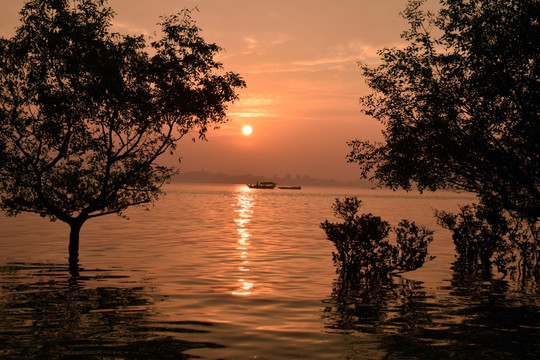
x=85 y=113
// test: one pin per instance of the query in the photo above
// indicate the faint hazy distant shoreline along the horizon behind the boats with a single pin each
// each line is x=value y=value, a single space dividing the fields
x=303 y=180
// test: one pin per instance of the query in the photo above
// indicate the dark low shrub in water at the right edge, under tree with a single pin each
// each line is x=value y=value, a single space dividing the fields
x=485 y=234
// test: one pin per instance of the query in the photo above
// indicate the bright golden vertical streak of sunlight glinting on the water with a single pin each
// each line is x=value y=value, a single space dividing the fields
x=244 y=202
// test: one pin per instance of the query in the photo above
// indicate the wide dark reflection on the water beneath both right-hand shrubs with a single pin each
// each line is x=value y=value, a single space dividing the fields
x=477 y=317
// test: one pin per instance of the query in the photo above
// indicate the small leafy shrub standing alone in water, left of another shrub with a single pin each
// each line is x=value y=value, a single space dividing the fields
x=364 y=252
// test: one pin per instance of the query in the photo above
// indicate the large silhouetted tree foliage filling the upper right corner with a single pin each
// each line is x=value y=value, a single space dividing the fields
x=460 y=103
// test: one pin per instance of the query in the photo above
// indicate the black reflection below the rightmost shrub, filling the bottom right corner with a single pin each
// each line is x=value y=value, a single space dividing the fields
x=481 y=318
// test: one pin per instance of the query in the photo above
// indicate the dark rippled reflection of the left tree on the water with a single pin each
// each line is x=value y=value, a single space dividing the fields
x=47 y=315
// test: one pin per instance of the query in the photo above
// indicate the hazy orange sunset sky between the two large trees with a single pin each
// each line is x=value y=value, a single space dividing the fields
x=299 y=59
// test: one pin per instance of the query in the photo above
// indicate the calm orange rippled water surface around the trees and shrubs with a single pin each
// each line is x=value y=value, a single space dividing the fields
x=225 y=272
